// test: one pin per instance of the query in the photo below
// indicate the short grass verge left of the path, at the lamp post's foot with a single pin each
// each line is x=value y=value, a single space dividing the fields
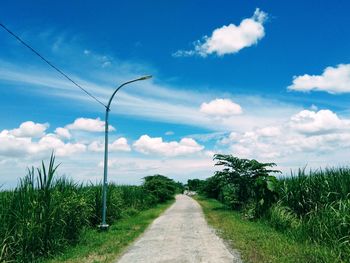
x=106 y=246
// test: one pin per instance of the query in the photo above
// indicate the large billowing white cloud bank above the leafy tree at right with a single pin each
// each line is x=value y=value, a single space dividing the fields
x=306 y=132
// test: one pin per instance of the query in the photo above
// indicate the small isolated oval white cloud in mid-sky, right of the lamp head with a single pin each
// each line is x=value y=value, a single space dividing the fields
x=221 y=108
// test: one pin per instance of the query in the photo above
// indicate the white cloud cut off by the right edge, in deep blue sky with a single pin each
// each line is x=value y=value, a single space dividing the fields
x=333 y=80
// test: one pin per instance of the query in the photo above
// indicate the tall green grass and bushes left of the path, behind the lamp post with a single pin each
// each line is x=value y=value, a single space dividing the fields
x=44 y=214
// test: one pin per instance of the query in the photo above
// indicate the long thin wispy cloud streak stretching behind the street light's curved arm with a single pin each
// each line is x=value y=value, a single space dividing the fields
x=148 y=100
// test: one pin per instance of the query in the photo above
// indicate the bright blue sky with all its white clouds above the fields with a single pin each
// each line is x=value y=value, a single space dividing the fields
x=268 y=80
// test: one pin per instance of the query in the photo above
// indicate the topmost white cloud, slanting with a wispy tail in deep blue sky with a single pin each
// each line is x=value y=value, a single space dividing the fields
x=230 y=39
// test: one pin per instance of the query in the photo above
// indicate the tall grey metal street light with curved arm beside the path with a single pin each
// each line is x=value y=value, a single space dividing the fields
x=104 y=225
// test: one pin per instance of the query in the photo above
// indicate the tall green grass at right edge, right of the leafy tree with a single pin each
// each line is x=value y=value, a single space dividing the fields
x=316 y=206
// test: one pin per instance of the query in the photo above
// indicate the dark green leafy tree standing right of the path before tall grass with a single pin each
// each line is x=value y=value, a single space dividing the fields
x=242 y=181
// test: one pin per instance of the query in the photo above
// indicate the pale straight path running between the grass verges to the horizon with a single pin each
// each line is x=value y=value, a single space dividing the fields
x=180 y=235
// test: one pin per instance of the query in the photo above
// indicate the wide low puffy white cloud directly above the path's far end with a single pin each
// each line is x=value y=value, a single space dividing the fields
x=147 y=145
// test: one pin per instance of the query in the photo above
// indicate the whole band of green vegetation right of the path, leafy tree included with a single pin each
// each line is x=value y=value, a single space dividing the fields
x=313 y=207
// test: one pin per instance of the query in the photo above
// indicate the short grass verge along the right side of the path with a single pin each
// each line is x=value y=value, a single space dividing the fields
x=258 y=242
